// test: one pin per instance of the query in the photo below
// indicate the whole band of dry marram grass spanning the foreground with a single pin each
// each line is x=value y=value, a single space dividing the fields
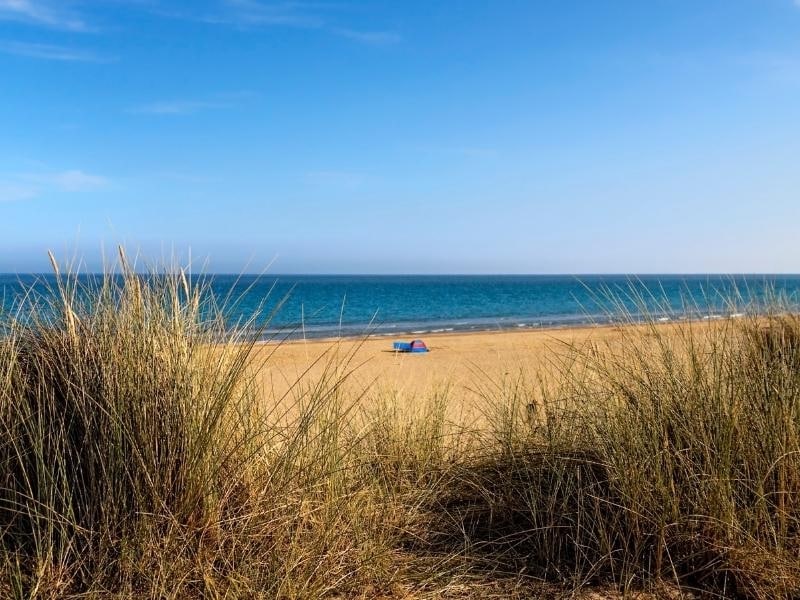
x=141 y=459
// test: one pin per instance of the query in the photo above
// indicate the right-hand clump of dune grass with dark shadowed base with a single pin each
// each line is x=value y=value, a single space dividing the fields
x=668 y=453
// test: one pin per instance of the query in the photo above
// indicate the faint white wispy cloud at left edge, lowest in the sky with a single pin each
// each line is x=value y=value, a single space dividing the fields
x=26 y=186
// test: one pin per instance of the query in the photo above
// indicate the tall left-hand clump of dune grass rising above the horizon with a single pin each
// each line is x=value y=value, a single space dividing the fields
x=139 y=459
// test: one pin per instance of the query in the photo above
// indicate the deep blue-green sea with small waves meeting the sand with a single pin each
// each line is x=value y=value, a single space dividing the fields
x=354 y=305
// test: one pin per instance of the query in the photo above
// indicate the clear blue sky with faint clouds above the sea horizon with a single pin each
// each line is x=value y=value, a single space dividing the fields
x=493 y=136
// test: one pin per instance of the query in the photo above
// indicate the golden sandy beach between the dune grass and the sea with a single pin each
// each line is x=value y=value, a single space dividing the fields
x=468 y=368
